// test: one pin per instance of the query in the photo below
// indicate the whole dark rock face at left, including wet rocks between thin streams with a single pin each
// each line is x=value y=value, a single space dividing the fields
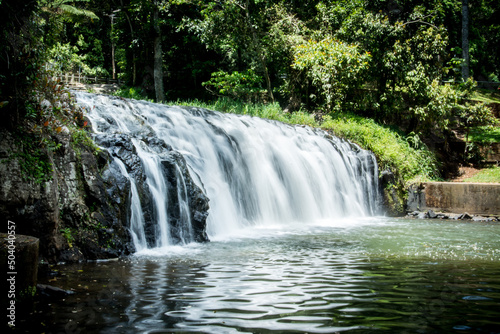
x=82 y=210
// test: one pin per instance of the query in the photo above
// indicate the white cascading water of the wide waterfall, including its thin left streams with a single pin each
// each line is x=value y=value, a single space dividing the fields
x=254 y=171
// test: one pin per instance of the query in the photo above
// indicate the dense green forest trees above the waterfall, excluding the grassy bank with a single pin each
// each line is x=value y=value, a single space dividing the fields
x=403 y=62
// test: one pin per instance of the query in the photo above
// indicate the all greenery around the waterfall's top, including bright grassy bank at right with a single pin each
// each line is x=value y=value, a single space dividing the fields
x=397 y=77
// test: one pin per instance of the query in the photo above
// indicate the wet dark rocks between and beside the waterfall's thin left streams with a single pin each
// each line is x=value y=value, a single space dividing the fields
x=180 y=187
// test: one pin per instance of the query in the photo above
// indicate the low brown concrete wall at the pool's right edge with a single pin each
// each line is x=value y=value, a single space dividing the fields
x=473 y=198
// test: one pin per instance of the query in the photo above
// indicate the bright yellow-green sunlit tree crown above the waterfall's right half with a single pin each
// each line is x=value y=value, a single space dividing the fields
x=334 y=68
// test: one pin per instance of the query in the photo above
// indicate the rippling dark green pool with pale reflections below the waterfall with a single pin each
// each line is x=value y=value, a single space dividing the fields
x=374 y=275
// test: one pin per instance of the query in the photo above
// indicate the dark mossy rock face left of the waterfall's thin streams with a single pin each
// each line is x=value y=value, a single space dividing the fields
x=71 y=212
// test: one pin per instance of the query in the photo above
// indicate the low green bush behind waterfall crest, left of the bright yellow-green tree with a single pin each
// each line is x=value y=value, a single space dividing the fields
x=238 y=85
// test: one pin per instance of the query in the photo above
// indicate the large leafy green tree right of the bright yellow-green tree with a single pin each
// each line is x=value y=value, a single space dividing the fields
x=402 y=83
